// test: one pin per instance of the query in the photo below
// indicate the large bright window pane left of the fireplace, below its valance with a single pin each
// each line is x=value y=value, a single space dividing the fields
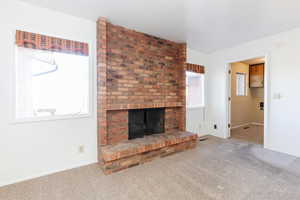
x=51 y=84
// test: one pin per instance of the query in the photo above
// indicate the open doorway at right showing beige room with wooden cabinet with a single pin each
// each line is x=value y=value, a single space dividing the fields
x=247 y=100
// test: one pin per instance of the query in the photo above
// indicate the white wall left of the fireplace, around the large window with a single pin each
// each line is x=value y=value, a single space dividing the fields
x=33 y=149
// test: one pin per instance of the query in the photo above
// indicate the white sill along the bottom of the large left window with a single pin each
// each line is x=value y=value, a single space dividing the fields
x=50 y=118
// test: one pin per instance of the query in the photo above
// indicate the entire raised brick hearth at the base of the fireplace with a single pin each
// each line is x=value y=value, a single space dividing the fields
x=134 y=152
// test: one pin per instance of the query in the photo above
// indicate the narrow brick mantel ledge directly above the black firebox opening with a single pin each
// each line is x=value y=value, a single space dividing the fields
x=142 y=106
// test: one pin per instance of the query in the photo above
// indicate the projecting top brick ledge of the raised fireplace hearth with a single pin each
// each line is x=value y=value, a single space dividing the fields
x=148 y=143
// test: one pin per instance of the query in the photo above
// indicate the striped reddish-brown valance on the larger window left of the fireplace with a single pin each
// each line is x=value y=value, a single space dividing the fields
x=42 y=42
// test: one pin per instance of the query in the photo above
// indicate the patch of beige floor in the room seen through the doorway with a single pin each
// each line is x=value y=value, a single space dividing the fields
x=251 y=133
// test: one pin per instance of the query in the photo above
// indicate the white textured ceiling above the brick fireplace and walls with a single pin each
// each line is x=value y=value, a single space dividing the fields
x=206 y=25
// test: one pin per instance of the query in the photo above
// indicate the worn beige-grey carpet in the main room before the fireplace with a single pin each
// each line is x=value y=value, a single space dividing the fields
x=216 y=169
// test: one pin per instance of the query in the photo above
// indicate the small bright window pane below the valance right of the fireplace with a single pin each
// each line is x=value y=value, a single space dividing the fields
x=194 y=89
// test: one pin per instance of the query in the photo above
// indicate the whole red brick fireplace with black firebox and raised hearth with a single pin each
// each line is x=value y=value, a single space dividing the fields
x=141 y=89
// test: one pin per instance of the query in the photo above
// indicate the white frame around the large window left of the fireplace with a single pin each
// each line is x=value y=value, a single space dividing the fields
x=91 y=92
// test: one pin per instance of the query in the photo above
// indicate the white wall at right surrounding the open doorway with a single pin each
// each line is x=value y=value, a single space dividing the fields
x=284 y=71
